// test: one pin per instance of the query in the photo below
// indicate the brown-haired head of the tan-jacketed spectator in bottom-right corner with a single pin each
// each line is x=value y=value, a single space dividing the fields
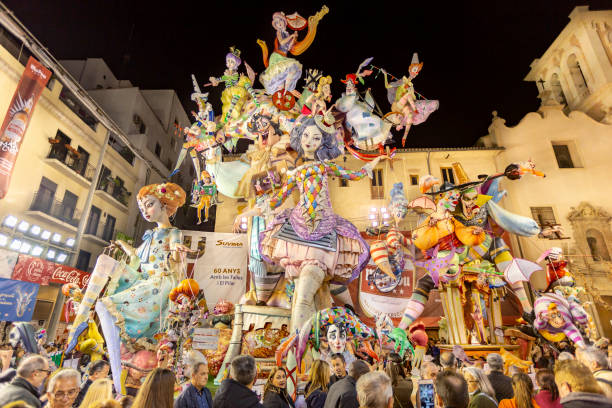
x=573 y=376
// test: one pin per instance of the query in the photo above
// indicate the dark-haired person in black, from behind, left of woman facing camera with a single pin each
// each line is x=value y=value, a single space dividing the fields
x=236 y=390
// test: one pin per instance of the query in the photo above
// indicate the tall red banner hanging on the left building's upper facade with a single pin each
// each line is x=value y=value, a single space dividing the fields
x=30 y=87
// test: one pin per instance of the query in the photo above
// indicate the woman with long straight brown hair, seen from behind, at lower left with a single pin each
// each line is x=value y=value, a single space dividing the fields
x=157 y=391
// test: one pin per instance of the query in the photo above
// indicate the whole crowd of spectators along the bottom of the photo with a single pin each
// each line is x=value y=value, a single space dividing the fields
x=579 y=380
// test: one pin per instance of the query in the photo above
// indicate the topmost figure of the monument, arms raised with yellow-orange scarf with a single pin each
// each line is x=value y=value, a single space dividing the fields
x=282 y=72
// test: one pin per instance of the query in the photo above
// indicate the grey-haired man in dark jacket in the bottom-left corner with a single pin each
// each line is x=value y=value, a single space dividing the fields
x=31 y=373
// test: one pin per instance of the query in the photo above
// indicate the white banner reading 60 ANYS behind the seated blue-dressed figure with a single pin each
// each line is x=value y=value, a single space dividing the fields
x=220 y=264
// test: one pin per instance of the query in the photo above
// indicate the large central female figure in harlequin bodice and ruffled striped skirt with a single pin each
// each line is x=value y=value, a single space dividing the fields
x=312 y=243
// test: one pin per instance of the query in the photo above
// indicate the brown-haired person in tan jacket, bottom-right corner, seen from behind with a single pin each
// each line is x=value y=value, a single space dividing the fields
x=577 y=386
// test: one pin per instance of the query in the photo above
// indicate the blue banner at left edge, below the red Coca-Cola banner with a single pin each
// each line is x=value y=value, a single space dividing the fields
x=17 y=300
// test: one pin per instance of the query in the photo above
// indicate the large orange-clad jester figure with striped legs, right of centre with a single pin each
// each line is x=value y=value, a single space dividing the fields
x=467 y=226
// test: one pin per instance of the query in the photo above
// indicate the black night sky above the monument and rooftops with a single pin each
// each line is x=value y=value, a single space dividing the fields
x=475 y=54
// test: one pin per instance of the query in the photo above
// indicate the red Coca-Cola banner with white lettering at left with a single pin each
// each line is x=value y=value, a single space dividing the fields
x=32 y=269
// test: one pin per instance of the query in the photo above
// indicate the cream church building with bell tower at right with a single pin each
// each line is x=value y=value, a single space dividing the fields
x=570 y=139
